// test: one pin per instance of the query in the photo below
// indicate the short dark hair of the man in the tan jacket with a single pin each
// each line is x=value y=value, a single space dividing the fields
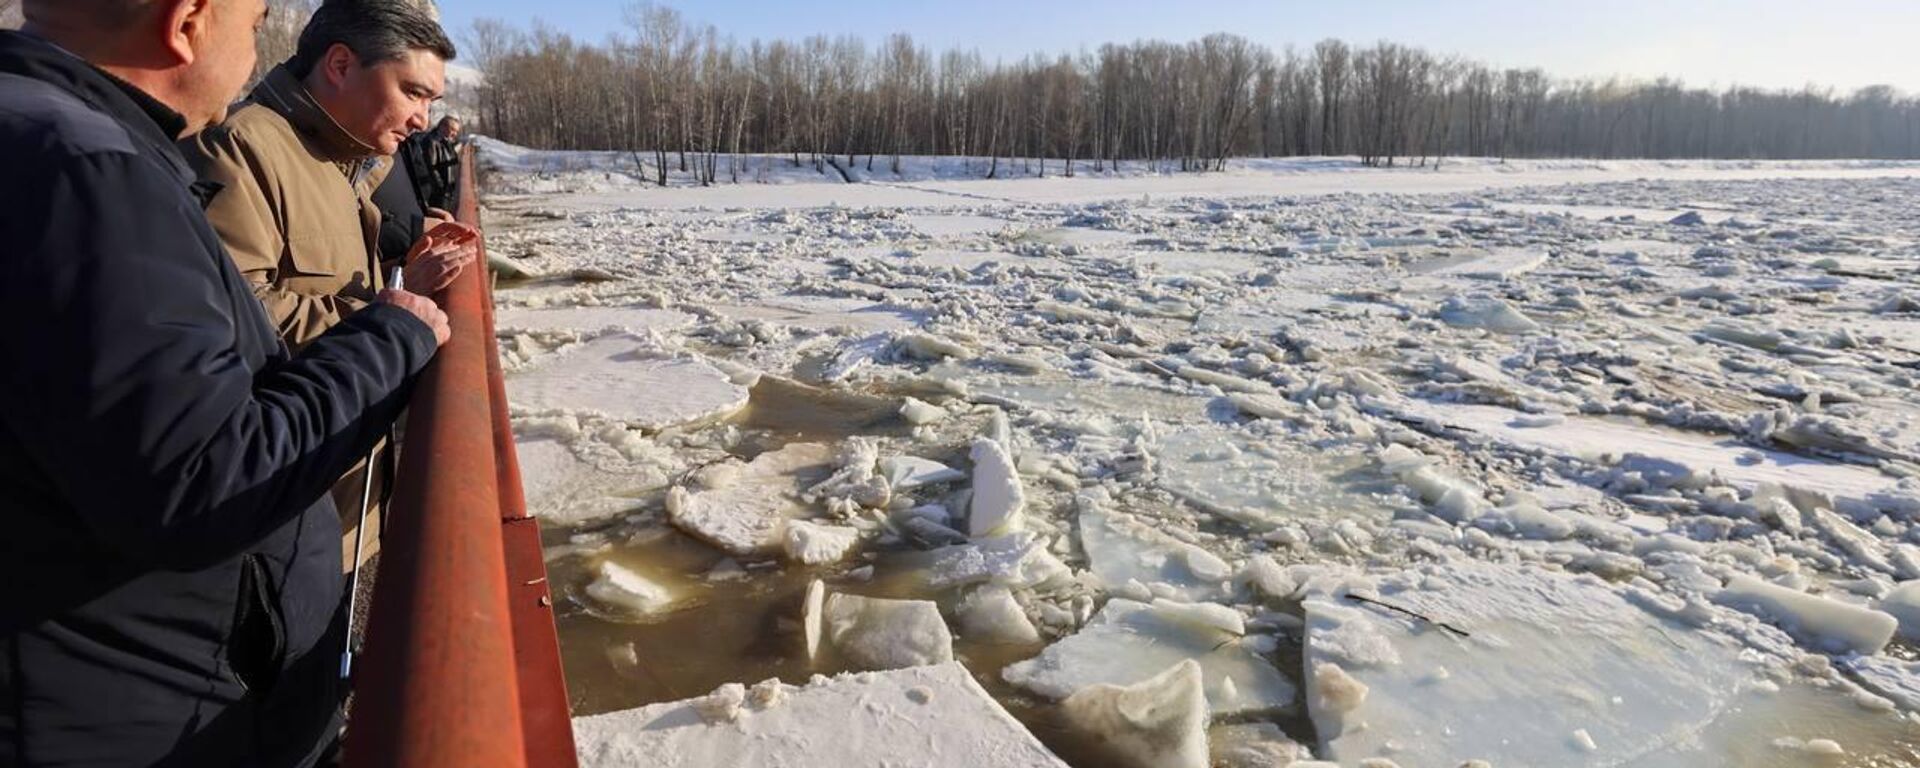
x=373 y=30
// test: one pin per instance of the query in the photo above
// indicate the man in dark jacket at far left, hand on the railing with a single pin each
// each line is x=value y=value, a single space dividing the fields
x=172 y=556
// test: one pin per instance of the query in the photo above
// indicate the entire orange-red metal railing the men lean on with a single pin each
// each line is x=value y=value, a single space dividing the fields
x=462 y=663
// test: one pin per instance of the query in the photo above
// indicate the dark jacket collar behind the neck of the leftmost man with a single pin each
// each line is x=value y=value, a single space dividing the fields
x=145 y=116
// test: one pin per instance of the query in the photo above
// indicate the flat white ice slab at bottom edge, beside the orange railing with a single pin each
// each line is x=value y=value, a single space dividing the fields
x=932 y=717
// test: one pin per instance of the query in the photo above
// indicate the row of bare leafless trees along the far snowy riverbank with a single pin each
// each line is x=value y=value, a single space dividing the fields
x=688 y=97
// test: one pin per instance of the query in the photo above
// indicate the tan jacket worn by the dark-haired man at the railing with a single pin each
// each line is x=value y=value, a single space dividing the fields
x=297 y=208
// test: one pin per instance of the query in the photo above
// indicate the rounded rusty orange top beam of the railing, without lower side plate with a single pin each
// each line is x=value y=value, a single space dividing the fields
x=439 y=683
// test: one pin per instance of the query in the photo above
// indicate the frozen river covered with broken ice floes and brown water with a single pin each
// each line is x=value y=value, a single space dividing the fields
x=1535 y=464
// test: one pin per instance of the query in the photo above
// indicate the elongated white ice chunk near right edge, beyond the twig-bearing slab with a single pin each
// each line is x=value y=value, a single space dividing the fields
x=1821 y=623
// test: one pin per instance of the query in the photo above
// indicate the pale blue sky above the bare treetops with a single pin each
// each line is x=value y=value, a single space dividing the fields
x=1708 y=43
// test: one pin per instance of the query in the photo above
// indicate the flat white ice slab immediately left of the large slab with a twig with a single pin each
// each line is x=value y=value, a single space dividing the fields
x=1126 y=642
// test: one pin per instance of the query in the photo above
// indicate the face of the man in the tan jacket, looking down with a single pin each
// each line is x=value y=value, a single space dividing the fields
x=387 y=103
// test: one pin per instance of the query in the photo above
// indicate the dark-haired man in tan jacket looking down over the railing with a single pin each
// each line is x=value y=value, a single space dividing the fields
x=299 y=162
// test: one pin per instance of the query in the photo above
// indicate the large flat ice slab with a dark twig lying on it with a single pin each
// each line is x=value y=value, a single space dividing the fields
x=1525 y=660
